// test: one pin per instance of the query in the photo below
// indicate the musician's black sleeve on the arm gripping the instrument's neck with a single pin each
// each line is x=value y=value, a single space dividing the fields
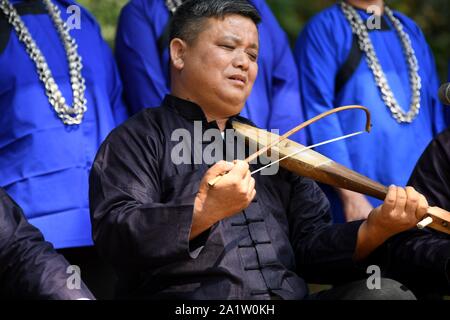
x=324 y=251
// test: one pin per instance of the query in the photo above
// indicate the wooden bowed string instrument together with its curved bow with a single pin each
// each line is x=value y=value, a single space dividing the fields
x=305 y=162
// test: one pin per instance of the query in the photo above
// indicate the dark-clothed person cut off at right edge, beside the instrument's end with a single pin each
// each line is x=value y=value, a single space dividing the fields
x=431 y=177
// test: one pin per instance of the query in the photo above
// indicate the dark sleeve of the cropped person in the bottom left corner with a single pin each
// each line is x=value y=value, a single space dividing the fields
x=29 y=266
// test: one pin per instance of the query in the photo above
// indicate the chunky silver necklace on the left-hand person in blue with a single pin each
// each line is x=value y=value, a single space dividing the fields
x=68 y=115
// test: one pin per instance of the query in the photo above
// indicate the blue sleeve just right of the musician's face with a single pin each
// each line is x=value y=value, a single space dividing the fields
x=286 y=110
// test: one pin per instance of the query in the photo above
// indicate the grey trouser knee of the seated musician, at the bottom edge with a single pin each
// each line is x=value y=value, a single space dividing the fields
x=358 y=290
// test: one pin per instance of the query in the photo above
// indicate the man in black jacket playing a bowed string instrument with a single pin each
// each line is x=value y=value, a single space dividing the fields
x=169 y=234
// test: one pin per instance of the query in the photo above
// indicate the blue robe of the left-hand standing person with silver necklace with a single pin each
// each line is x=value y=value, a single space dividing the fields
x=44 y=165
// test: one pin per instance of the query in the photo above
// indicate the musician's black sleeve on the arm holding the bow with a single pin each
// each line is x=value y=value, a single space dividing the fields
x=137 y=225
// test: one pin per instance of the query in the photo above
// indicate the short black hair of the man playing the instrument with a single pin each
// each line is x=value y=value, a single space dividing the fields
x=188 y=20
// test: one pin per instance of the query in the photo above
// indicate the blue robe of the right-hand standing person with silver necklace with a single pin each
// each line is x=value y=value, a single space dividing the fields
x=388 y=154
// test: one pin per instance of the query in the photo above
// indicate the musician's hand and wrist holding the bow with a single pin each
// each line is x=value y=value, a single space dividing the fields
x=230 y=195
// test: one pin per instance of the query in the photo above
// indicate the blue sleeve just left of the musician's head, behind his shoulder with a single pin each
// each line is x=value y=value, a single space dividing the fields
x=139 y=60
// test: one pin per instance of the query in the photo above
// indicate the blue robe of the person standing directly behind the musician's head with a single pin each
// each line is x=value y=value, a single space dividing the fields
x=274 y=101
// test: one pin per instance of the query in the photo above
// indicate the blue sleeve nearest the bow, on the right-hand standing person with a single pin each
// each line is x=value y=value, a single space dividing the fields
x=317 y=62
